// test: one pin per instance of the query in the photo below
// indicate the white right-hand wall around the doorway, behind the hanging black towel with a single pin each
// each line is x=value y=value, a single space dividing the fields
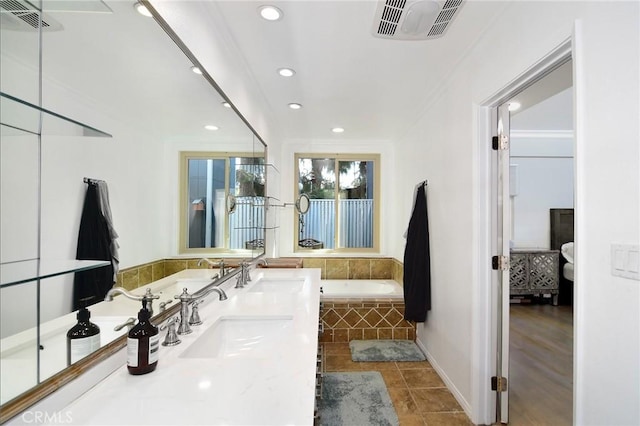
x=445 y=144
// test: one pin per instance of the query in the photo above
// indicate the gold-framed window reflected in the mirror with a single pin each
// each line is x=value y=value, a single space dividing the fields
x=213 y=186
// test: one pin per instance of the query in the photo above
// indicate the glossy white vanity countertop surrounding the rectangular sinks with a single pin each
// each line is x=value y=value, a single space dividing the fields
x=273 y=389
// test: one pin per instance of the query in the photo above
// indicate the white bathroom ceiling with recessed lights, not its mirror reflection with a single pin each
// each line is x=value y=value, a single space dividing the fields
x=374 y=88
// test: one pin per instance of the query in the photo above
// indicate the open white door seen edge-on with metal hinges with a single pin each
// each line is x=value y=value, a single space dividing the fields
x=501 y=263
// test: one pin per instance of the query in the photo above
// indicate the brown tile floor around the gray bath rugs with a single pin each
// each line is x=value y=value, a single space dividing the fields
x=419 y=396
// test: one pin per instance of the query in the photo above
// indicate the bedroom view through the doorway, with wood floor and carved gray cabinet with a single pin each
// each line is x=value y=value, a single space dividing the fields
x=541 y=184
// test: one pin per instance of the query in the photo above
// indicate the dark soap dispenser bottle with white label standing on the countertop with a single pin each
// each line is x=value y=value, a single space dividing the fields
x=143 y=344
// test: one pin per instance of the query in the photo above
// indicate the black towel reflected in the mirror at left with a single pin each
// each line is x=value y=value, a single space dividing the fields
x=93 y=244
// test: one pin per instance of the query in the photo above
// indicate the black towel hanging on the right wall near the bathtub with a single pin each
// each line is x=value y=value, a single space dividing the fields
x=417 y=268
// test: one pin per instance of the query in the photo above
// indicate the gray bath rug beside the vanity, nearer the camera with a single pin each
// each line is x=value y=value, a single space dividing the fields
x=356 y=399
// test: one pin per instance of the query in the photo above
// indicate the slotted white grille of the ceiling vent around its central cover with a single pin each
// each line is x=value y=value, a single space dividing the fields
x=390 y=15
